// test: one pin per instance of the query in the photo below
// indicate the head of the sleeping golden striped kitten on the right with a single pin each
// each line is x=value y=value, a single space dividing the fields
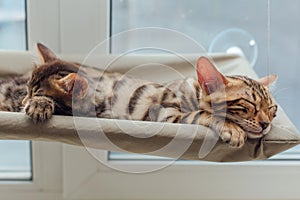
x=238 y=98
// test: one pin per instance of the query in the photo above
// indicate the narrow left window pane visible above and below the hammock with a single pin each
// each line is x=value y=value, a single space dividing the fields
x=15 y=156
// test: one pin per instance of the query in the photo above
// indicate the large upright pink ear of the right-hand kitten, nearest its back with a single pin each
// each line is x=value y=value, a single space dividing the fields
x=210 y=79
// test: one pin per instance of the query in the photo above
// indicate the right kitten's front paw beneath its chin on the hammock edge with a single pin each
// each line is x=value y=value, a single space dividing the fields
x=234 y=135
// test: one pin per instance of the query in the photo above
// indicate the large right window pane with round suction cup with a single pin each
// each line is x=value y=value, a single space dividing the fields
x=227 y=26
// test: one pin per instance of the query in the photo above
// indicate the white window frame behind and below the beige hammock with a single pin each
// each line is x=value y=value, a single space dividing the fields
x=66 y=172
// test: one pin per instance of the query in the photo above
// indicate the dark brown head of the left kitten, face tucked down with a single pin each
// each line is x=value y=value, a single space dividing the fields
x=56 y=79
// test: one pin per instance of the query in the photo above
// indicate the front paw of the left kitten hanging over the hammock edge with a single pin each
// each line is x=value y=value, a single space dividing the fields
x=39 y=108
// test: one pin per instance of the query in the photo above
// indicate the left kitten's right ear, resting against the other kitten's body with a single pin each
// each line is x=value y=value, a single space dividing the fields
x=74 y=85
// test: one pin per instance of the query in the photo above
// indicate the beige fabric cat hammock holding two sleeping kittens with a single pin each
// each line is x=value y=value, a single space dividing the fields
x=168 y=140
